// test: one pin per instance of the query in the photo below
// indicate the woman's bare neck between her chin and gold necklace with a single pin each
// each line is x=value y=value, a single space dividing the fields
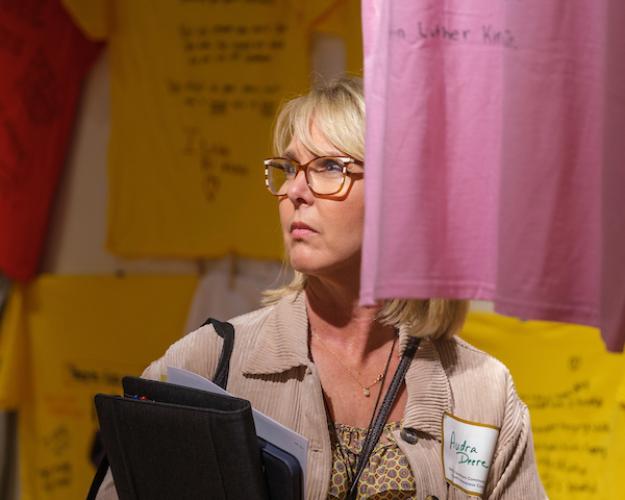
x=335 y=315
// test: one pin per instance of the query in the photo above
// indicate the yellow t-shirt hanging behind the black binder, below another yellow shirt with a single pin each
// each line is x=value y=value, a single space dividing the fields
x=64 y=339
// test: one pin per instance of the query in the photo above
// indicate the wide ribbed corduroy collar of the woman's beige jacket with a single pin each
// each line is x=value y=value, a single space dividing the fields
x=283 y=345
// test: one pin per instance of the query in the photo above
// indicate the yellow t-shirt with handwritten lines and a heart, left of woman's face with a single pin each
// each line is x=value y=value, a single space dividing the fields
x=195 y=87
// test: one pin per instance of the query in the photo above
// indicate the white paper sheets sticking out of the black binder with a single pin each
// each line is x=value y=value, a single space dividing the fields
x=266 y=427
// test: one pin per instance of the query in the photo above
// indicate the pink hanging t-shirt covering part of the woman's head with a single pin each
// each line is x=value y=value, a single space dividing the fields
x=484 y=157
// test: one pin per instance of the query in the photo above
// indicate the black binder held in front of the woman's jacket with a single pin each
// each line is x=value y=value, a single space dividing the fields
x=167 y=441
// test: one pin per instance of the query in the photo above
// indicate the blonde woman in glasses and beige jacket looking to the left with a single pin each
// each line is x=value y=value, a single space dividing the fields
x=318 y=362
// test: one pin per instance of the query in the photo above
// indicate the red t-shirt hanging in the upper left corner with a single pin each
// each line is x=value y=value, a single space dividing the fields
x=43 y=59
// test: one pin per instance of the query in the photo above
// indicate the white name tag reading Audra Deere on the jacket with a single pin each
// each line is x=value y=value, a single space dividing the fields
x=467 y=453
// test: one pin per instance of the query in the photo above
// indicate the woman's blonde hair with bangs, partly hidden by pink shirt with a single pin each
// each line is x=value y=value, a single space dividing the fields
x=338 y=111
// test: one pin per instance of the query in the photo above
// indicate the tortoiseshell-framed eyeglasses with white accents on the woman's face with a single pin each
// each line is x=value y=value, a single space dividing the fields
x=325 y=175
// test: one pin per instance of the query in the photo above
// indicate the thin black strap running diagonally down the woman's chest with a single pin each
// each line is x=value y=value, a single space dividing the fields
x=375 y=430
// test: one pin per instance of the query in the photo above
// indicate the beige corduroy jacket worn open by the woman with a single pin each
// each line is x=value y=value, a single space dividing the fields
x=271 y=367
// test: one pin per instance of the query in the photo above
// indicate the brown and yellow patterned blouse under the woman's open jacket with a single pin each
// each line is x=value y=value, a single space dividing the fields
x=386 y=477
